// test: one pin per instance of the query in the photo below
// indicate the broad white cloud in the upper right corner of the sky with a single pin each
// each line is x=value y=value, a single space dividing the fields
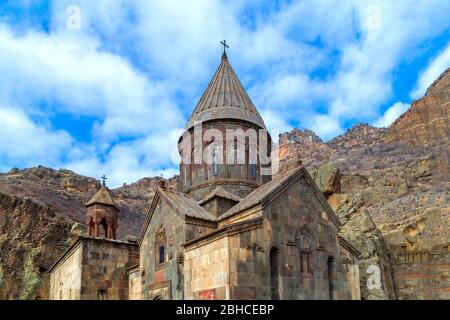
x=364 y=79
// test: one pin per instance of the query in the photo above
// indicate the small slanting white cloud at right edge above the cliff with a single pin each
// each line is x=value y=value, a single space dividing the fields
x=432 y=72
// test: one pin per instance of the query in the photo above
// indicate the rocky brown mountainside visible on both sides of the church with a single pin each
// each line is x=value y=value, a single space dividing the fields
x=389 y=188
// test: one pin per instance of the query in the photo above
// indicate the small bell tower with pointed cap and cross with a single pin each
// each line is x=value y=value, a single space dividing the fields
x=102 y=214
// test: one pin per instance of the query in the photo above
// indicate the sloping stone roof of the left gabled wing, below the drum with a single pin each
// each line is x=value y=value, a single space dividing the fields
x=186 y=205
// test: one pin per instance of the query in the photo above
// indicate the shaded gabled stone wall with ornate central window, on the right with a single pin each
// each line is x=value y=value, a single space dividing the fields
x=300 y=228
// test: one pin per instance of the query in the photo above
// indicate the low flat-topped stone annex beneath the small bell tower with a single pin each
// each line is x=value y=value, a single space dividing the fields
x=93 y=269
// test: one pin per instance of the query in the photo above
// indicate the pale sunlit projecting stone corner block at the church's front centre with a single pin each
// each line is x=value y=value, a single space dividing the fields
x=228 y=265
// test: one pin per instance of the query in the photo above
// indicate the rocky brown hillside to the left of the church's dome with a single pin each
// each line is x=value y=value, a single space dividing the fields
x=42 y=210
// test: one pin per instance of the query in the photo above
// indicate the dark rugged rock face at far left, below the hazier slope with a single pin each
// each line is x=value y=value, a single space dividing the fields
x=32 y=236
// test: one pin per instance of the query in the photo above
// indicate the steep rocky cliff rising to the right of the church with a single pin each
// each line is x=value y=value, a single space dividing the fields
x=390 y=189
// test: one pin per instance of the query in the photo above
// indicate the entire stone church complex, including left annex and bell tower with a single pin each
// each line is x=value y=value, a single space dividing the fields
x=232 y=231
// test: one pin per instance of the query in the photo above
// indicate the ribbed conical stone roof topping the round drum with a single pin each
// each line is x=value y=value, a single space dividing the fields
x=225 y=98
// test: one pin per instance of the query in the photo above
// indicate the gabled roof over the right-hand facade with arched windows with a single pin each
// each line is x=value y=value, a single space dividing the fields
x=268 y=191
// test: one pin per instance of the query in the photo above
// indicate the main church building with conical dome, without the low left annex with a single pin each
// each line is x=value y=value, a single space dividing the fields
x=234 y=233
